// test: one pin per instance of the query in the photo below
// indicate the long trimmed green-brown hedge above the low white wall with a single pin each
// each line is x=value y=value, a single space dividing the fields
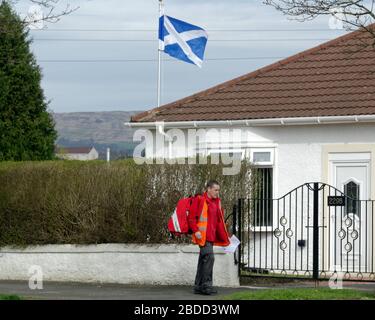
x=75 y=202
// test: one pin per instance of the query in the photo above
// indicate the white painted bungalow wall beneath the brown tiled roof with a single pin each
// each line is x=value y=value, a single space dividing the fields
x=298 y=159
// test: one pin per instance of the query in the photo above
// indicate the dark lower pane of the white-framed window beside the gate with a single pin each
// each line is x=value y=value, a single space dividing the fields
x=262 y=206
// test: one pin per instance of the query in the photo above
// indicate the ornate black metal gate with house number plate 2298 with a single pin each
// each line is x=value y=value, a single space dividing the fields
x=314 y=231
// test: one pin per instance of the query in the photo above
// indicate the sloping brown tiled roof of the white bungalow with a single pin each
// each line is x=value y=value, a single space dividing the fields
x=333 y=79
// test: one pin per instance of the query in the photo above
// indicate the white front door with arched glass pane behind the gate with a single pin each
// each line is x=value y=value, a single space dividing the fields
x=349 y=224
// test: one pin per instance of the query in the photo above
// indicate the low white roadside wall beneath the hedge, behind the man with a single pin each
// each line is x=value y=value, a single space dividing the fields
x=116 y=263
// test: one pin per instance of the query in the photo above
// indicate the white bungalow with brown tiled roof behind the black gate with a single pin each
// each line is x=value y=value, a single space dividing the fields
x=307 y=122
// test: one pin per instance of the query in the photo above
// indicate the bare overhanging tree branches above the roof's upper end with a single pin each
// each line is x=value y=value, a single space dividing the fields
x=354 y=14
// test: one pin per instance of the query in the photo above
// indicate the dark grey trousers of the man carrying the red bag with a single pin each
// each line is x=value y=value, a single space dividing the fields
x=203 y=278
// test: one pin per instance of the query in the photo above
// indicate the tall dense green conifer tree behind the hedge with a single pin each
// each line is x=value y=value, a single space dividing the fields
x=26 y=127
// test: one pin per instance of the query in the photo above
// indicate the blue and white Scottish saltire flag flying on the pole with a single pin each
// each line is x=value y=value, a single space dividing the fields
x=182 y=40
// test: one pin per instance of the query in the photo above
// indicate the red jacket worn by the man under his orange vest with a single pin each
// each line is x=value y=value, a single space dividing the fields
x=216 y=231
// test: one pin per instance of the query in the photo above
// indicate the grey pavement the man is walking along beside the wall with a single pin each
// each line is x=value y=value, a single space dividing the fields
x=95 y=291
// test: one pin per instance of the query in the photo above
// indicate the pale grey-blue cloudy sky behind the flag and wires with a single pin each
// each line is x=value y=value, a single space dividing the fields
x=85 y=56
